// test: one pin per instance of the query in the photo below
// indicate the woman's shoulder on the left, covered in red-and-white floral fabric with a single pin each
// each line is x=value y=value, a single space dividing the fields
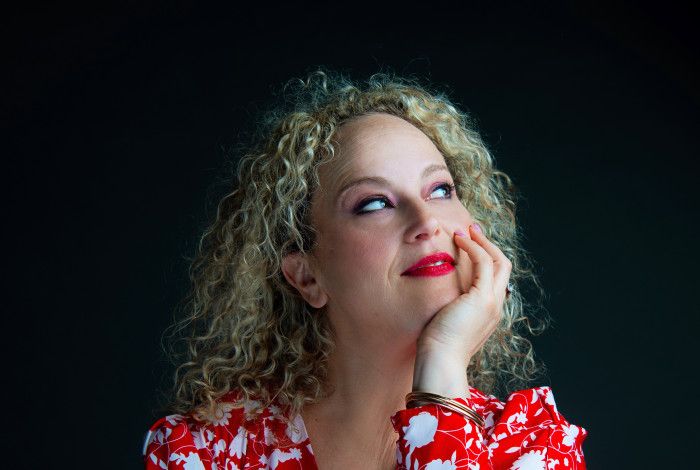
x=221 y=439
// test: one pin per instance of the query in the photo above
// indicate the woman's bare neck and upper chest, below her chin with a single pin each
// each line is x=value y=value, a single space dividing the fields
x=368 y=384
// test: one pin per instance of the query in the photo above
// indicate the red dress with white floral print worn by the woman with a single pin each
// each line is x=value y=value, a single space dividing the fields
x=525 y=432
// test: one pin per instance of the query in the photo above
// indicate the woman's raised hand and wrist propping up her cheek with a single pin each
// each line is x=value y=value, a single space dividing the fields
x=462 y=327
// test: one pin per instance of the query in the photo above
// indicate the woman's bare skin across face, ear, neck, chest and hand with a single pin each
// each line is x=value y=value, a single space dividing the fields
x=394 y=333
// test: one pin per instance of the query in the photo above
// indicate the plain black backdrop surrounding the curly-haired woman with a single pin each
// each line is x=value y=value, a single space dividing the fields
x=118 y=120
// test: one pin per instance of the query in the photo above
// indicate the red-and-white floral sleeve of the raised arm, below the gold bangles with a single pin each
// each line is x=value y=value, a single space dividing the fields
x=525 y=432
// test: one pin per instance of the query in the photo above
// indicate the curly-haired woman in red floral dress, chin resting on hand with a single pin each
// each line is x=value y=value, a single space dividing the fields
x=354 y=300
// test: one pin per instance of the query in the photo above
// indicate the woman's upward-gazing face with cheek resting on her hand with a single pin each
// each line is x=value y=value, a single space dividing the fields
x=384 y=203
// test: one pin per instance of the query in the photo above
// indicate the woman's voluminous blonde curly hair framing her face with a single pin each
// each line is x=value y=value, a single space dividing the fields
x=246 y=329
